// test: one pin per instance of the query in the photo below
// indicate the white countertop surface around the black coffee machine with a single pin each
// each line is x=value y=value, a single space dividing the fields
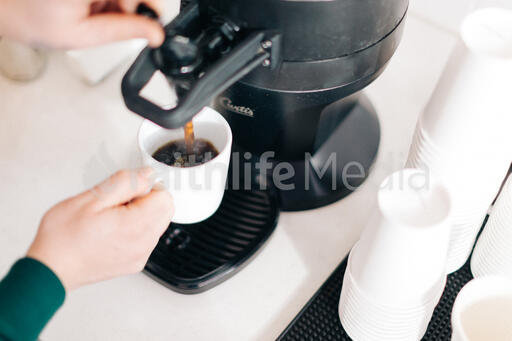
x=59 y=137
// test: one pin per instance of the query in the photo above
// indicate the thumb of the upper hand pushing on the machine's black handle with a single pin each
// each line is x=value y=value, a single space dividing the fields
x=110 y=27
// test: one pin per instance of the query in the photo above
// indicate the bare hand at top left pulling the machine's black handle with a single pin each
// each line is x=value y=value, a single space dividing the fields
x=78 y=23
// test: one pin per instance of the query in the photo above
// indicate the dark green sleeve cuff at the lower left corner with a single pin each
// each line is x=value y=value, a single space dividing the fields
x=30 y=295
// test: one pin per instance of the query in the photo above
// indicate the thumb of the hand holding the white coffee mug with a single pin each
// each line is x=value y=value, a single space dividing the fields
x=121 y=188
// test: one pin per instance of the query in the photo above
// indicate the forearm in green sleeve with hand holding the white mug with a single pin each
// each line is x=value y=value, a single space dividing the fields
x=103 y=233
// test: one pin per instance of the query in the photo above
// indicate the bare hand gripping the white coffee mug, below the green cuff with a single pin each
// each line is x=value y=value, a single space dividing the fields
x=105 y=232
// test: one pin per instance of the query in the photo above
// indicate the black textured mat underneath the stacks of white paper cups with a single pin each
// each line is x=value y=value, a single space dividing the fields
x=319 y=319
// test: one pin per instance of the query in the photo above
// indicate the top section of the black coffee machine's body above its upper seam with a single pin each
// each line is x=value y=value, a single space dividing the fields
x=316 y=30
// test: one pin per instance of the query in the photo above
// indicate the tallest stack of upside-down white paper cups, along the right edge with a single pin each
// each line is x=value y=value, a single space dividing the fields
x=463 y=136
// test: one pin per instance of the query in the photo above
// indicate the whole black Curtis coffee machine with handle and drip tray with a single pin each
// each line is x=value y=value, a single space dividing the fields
x=287 y=75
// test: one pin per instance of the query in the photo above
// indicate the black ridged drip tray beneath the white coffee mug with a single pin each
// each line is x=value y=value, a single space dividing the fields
x=191 y=259
